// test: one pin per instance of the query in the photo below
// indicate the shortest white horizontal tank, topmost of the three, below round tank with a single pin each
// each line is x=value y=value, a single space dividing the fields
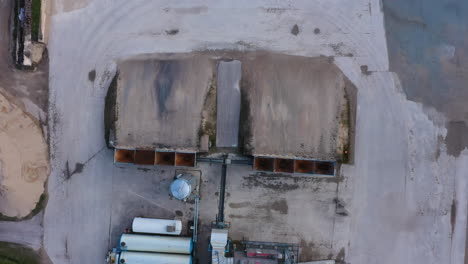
x=157 y=226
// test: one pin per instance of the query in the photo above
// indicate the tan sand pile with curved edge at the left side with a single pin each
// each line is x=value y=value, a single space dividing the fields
x=23 y=161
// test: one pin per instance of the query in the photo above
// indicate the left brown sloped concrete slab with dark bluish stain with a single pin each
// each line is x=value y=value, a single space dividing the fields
x=159 y=103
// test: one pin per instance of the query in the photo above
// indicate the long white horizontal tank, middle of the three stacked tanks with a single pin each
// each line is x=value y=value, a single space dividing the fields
x=165 y=244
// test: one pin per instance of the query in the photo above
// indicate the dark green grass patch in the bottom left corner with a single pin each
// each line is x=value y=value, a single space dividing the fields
x=11 y=253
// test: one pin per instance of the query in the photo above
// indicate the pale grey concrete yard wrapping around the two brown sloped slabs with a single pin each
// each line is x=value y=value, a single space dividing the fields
x=404 y=193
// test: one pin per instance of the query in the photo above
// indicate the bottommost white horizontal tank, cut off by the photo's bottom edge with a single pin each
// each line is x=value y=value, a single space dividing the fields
x=153 y=258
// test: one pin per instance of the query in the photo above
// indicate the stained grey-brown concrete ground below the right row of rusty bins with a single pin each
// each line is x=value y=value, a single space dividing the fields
x=282 y=208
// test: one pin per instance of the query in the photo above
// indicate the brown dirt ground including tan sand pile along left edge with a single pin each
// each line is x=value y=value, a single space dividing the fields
x=24 y=151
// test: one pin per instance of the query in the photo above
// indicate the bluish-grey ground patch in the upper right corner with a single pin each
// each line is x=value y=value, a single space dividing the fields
x=428 y=48
